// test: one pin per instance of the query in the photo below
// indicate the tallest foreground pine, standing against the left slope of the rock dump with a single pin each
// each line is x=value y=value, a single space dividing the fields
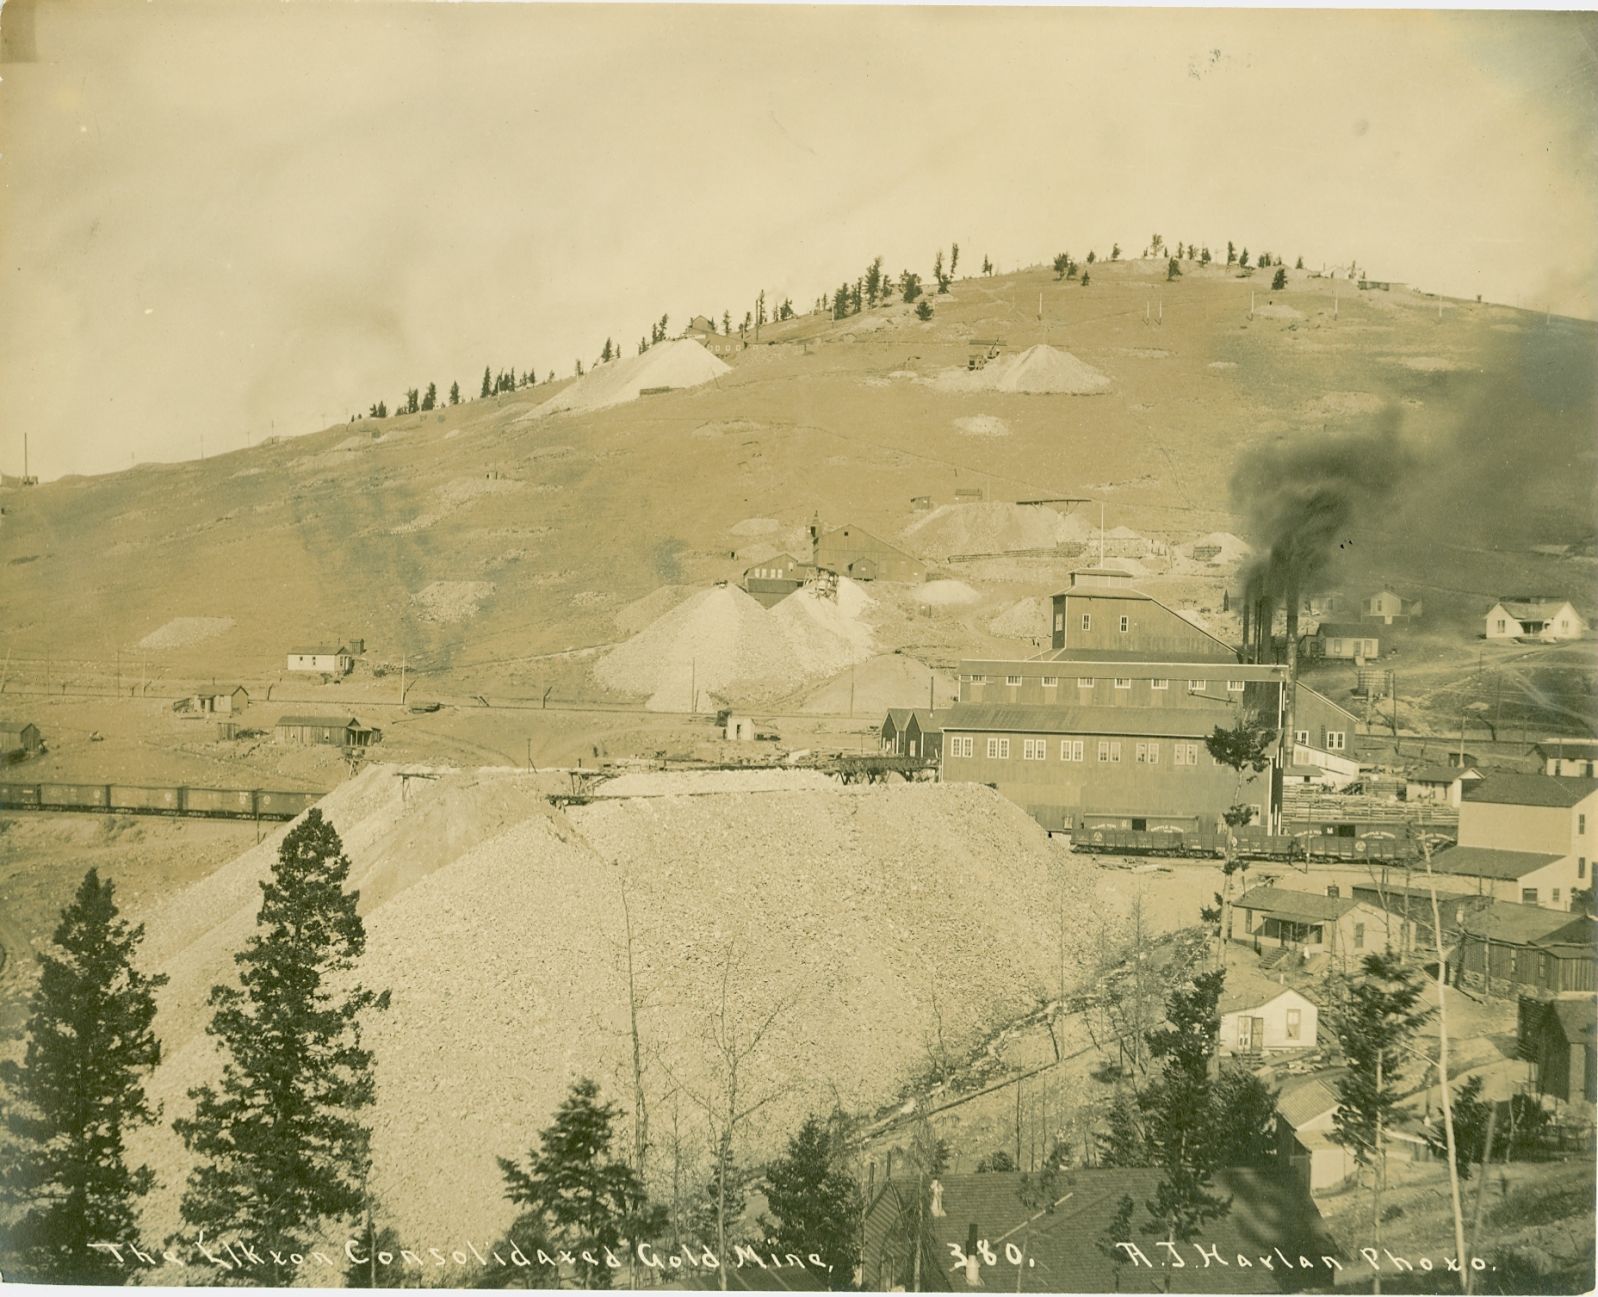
x=280 y=1149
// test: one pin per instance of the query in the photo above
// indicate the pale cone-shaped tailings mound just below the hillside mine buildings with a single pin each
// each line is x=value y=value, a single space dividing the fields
x=721 y=645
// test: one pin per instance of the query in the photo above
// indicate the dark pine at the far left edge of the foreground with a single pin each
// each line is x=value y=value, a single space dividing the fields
x=76 y=1095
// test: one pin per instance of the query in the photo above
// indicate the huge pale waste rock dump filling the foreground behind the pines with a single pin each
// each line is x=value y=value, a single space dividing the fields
x=867 y=918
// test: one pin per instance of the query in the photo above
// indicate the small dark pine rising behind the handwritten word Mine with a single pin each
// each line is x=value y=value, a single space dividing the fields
x=816 y=1204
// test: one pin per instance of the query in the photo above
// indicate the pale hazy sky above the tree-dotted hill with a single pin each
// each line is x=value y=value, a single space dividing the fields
x=223 y=221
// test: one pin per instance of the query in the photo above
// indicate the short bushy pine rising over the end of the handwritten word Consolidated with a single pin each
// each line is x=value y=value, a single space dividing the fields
x=582 y=1197
